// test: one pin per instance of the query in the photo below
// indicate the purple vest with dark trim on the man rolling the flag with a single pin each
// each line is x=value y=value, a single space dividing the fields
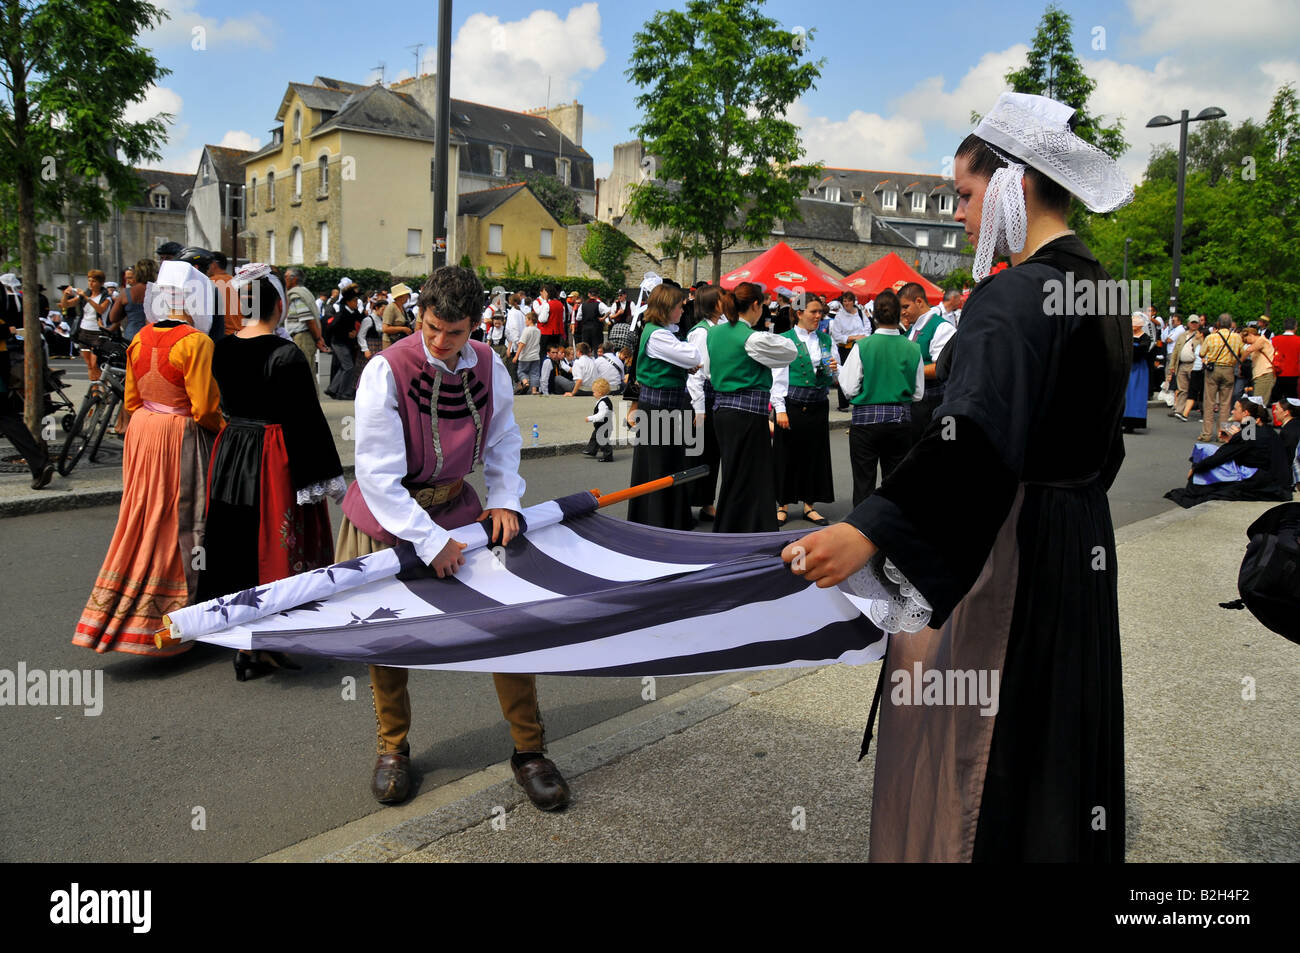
x=449 y=440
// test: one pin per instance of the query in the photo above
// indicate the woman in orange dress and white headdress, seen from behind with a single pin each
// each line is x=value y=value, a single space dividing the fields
x=157 y=553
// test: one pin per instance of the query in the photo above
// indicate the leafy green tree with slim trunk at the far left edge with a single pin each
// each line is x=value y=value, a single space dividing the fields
x=64 y=140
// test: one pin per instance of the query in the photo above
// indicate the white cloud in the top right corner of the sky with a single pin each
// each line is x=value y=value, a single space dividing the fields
x=1253 y=28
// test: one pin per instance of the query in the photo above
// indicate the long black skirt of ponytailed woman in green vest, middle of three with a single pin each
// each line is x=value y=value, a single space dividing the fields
x=747 y=503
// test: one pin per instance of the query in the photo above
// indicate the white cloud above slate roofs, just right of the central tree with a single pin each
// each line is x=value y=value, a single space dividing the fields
x=861 y=140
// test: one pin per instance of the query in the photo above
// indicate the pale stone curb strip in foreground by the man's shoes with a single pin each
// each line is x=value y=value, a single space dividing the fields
x=493 y=791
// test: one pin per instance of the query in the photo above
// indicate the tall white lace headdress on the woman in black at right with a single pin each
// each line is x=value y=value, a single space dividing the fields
x=1035 y=131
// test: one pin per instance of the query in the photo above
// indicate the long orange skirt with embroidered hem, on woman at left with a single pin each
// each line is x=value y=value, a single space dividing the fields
x=153 y=562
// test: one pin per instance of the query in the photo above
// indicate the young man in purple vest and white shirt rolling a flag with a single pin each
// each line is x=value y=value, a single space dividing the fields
x=428 y=410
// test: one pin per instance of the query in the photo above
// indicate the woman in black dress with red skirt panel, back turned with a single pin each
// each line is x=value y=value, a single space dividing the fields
x=272 y=466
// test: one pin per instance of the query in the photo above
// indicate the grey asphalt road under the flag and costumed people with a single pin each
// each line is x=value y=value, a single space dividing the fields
x=283 y=759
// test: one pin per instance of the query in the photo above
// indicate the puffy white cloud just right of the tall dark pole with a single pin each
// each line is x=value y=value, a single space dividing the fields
x=509 y=64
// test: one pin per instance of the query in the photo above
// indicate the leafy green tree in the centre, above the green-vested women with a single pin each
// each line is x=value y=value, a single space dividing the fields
x=718 y=80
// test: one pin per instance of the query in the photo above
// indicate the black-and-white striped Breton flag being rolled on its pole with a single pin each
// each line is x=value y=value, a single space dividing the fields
x=577 y=594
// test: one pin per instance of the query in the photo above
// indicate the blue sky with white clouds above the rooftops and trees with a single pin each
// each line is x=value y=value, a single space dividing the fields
x=895 y=93
